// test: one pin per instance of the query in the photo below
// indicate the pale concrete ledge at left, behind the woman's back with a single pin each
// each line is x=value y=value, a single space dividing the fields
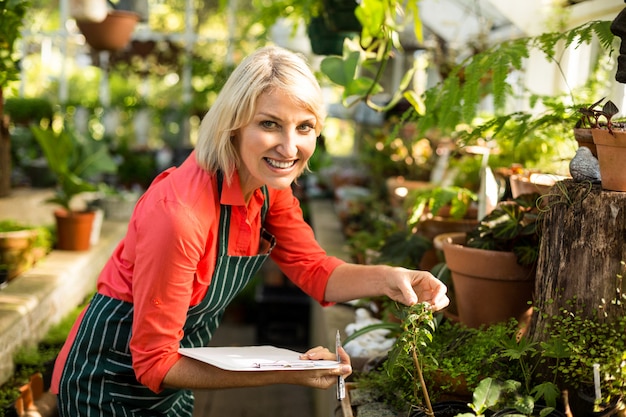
x=42 y=296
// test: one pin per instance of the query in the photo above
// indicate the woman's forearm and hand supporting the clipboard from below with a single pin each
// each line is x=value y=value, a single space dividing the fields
x=192 y=374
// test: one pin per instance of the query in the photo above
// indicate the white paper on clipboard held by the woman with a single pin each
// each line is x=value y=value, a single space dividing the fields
x=255 y=358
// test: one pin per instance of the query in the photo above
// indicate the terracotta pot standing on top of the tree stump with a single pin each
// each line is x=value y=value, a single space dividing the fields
x=612 y=158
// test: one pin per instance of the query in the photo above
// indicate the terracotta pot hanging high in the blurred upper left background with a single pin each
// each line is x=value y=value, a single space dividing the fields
x=111 y=34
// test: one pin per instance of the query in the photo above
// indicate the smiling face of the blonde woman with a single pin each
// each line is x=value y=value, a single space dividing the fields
x=277 y=143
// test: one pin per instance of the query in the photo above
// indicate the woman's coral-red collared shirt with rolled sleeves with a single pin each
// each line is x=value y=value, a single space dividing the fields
x=165 y=262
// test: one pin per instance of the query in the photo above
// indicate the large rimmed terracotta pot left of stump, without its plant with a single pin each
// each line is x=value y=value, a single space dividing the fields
x=489 y=286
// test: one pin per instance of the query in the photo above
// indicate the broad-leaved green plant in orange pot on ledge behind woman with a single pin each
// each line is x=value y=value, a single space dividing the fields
x=76 y=161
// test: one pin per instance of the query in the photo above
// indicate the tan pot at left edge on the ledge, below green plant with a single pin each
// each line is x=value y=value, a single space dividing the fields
x=16 y=251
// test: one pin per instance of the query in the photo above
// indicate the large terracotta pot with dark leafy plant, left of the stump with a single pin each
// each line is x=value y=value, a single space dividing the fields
x=493 y=266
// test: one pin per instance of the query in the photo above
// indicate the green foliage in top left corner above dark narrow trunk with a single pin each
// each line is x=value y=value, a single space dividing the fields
x=12 y=14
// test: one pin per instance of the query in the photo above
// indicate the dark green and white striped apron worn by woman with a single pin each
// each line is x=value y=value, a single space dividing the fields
x=98 y=378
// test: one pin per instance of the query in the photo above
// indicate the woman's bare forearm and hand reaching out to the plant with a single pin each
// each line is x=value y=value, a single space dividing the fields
x=352 y=281
